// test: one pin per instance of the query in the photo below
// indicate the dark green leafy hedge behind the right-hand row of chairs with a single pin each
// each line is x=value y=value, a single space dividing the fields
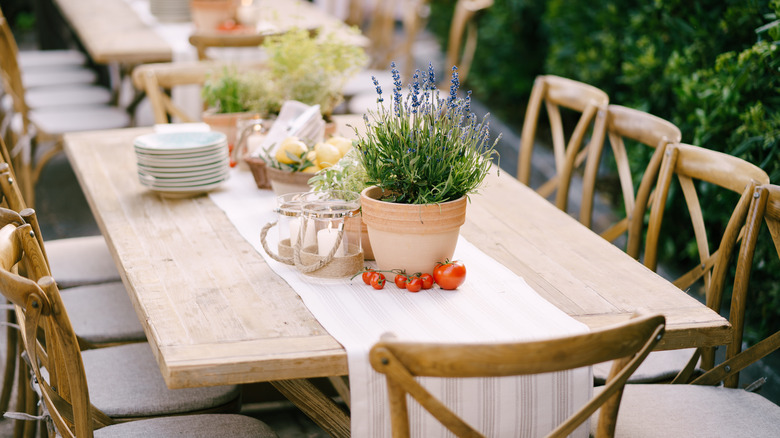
x=710 y=66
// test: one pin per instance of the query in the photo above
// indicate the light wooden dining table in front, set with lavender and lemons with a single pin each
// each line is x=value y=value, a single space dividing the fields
x=215 y=313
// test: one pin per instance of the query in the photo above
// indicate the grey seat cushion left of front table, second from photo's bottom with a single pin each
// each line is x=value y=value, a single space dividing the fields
x=125 y=381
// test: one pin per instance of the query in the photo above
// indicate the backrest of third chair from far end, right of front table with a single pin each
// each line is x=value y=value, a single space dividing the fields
x=695 y=165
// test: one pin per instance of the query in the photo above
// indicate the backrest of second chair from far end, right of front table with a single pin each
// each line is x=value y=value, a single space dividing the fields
x=645 y=129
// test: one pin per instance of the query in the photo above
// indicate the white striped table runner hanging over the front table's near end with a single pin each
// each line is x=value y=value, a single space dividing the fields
x=493 y=305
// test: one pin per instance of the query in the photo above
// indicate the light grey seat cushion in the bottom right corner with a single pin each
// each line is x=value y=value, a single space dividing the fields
x=694 y=411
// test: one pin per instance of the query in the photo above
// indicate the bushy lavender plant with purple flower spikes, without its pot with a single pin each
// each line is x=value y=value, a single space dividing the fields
x=425 y=148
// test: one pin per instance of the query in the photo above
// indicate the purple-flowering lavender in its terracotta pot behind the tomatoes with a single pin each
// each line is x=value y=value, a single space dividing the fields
x=423 y=154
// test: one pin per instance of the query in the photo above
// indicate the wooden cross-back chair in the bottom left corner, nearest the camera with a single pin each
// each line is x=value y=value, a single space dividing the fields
x=60 y=369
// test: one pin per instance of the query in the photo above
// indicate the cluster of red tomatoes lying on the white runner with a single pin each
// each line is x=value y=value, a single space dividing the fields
x=448 y=275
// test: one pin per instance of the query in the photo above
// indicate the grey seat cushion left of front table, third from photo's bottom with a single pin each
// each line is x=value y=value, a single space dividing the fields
x=103 y=313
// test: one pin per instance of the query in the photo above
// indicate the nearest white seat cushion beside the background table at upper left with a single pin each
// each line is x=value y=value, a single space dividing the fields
x=56 y=121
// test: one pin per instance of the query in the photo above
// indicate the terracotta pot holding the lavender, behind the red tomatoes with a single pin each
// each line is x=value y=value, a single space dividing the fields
x=412 y=237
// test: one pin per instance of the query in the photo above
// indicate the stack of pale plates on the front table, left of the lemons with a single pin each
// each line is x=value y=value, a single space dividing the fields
x=180 y=164
